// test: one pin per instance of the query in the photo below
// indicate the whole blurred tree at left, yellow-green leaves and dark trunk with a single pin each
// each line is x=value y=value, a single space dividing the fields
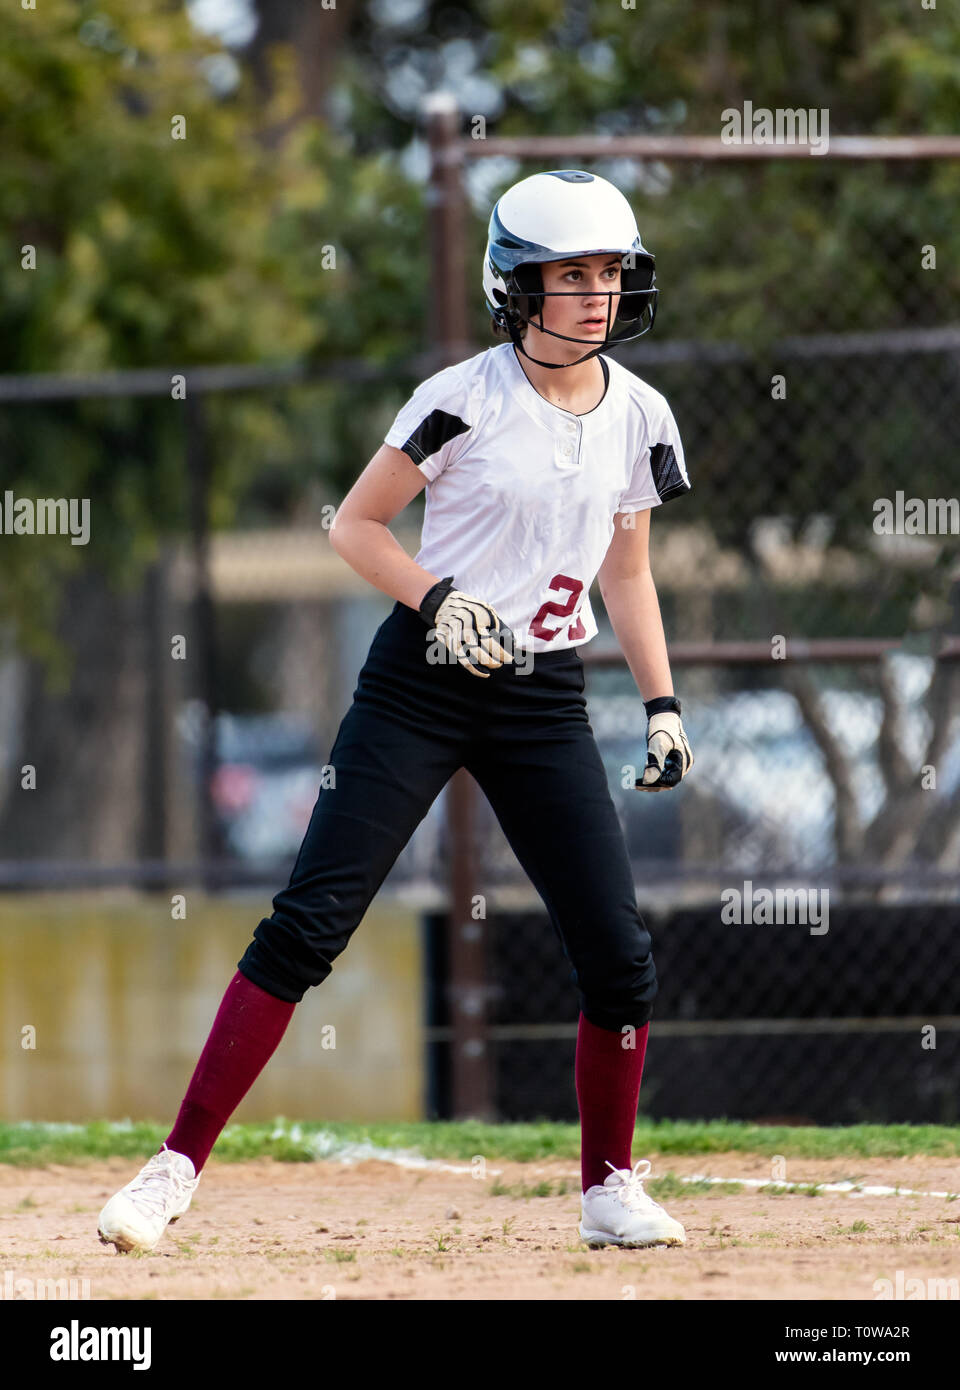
x=149 y=223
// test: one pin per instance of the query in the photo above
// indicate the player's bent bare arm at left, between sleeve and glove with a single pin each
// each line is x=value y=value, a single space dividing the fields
x=361 y=532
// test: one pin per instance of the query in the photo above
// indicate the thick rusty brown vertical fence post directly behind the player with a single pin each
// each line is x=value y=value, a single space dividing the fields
x=467 y=982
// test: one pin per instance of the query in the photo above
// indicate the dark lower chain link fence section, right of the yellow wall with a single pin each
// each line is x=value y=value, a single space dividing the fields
x=756 y=1021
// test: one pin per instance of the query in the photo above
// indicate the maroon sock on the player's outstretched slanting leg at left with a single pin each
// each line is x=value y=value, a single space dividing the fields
x=247 y=1032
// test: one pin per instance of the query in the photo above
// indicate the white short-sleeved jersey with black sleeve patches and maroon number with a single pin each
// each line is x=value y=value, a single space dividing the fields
x=522 y=494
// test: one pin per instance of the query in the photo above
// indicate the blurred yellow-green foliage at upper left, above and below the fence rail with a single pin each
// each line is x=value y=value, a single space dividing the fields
x=224 y=247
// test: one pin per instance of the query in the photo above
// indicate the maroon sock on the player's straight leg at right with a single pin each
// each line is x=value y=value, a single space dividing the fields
x=608 y=1093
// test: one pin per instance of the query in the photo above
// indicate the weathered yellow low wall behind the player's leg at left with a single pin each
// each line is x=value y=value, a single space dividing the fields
x=123 y=999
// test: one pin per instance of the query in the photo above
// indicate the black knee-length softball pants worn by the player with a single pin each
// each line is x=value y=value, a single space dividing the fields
x=527 y=740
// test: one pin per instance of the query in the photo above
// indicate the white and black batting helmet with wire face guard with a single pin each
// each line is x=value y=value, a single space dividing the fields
x=543 y=220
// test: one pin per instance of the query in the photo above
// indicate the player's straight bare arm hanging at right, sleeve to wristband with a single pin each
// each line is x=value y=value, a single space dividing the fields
x=631 y=601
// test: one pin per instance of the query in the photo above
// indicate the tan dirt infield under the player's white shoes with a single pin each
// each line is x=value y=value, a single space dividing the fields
x=374 y=1231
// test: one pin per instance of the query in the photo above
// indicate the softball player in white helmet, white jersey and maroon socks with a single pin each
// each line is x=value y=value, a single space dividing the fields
x=543 y=461
